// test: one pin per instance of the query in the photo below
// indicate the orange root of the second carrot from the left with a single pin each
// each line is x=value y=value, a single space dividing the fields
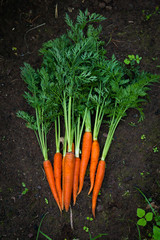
x=57 y=174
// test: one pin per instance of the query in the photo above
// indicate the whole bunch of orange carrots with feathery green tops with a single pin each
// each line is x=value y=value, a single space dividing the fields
x=77 y=83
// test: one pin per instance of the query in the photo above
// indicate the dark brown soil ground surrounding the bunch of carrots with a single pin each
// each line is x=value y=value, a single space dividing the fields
x=131 y=162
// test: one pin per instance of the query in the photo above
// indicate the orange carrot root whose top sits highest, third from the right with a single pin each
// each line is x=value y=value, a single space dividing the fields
x=86 y=151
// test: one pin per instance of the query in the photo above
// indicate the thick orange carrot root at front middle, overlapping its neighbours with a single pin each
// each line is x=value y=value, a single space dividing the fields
x=68 y=178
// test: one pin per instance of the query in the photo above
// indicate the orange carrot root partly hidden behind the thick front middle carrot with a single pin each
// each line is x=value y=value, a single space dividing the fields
x=75 y=179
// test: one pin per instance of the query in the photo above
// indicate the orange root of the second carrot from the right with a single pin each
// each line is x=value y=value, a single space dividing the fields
x=93 y=163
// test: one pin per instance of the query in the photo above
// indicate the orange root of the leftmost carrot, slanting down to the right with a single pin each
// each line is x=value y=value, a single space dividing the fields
x=50 y=177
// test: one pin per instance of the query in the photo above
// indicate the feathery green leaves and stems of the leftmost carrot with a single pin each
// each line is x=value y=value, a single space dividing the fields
x=38 y=97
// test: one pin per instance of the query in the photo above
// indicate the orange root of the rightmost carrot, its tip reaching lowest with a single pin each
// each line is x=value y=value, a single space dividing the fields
x=98 y=183
